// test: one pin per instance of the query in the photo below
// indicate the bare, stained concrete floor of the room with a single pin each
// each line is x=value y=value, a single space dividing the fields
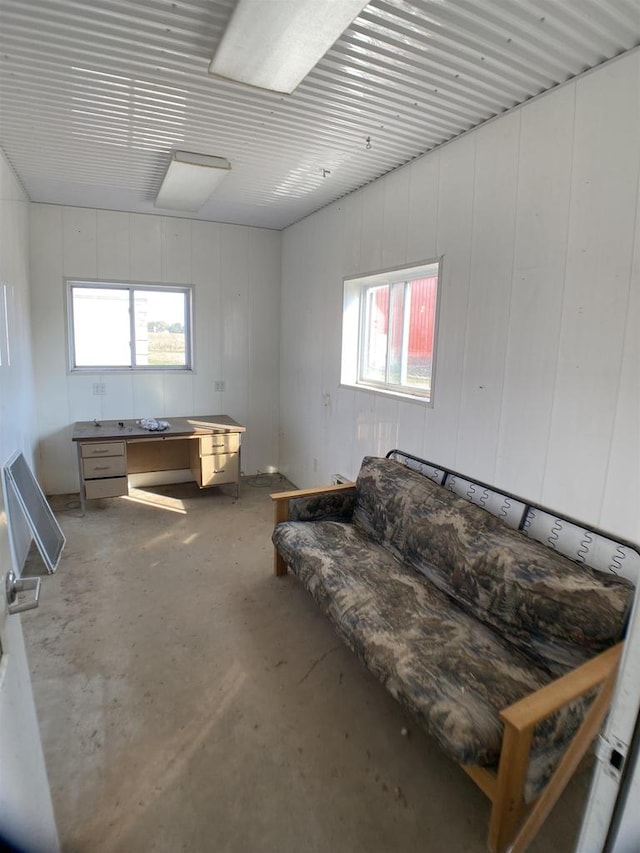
x=191 y=701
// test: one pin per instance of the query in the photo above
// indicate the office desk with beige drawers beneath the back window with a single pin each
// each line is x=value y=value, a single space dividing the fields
x=108 y=451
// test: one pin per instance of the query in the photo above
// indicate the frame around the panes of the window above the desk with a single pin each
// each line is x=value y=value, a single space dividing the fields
x=131 y=287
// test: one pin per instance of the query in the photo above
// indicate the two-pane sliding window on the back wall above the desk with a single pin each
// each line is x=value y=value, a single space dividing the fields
x=135 y=326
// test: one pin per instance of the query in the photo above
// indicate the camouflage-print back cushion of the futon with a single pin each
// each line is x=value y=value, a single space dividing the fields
x=552 y=609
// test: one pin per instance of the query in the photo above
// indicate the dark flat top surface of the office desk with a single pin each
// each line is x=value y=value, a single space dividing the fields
x=130 y=430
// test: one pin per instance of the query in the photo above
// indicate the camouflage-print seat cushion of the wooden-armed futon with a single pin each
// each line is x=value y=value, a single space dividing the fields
x=453 y=673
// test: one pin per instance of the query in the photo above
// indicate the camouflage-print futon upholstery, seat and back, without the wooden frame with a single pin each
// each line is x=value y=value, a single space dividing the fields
x=458 y=615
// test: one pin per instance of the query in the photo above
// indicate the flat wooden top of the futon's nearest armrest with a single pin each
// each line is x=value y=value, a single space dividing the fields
x=528 y=712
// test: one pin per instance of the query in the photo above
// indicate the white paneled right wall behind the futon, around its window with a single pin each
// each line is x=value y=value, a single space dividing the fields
x=538 y=362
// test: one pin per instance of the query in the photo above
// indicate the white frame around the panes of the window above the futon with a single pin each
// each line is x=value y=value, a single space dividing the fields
x=355 y=331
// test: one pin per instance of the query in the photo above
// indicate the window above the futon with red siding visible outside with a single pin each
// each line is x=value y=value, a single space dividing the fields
x=389 y=329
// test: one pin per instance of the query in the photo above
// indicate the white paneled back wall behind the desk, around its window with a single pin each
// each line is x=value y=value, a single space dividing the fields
x=235 y=272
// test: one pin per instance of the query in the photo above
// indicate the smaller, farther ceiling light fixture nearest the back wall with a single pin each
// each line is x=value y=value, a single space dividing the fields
x=190 y=180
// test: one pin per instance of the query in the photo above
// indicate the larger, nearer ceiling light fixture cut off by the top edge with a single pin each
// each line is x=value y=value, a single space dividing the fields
x=274 y=44
